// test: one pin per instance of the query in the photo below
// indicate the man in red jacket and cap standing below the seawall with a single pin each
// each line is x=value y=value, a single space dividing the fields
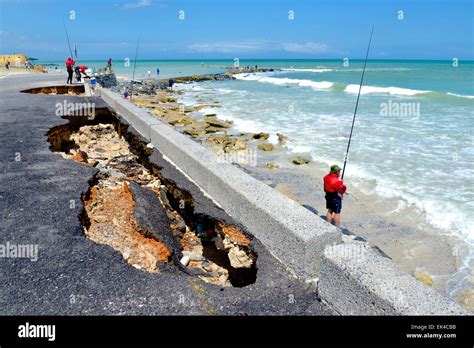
x=335 y=189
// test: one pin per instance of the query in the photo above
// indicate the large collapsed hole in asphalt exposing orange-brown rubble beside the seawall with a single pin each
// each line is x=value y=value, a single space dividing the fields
x=198 y=245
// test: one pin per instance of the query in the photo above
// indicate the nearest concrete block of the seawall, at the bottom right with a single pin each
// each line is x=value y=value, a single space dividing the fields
x=357 y=281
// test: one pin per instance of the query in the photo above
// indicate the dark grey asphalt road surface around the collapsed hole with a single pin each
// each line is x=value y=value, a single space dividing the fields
x=76 y=276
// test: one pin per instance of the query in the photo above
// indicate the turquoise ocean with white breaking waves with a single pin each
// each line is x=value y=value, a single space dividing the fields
x=413 y=137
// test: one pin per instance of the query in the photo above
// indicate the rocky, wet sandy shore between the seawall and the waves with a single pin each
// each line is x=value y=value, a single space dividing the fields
x=421 y=253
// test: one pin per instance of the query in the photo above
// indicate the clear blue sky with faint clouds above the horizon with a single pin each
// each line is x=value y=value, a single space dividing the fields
x=245 y=29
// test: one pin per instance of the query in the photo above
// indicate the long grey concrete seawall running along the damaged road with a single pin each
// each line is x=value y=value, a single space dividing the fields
x=353 y=281
